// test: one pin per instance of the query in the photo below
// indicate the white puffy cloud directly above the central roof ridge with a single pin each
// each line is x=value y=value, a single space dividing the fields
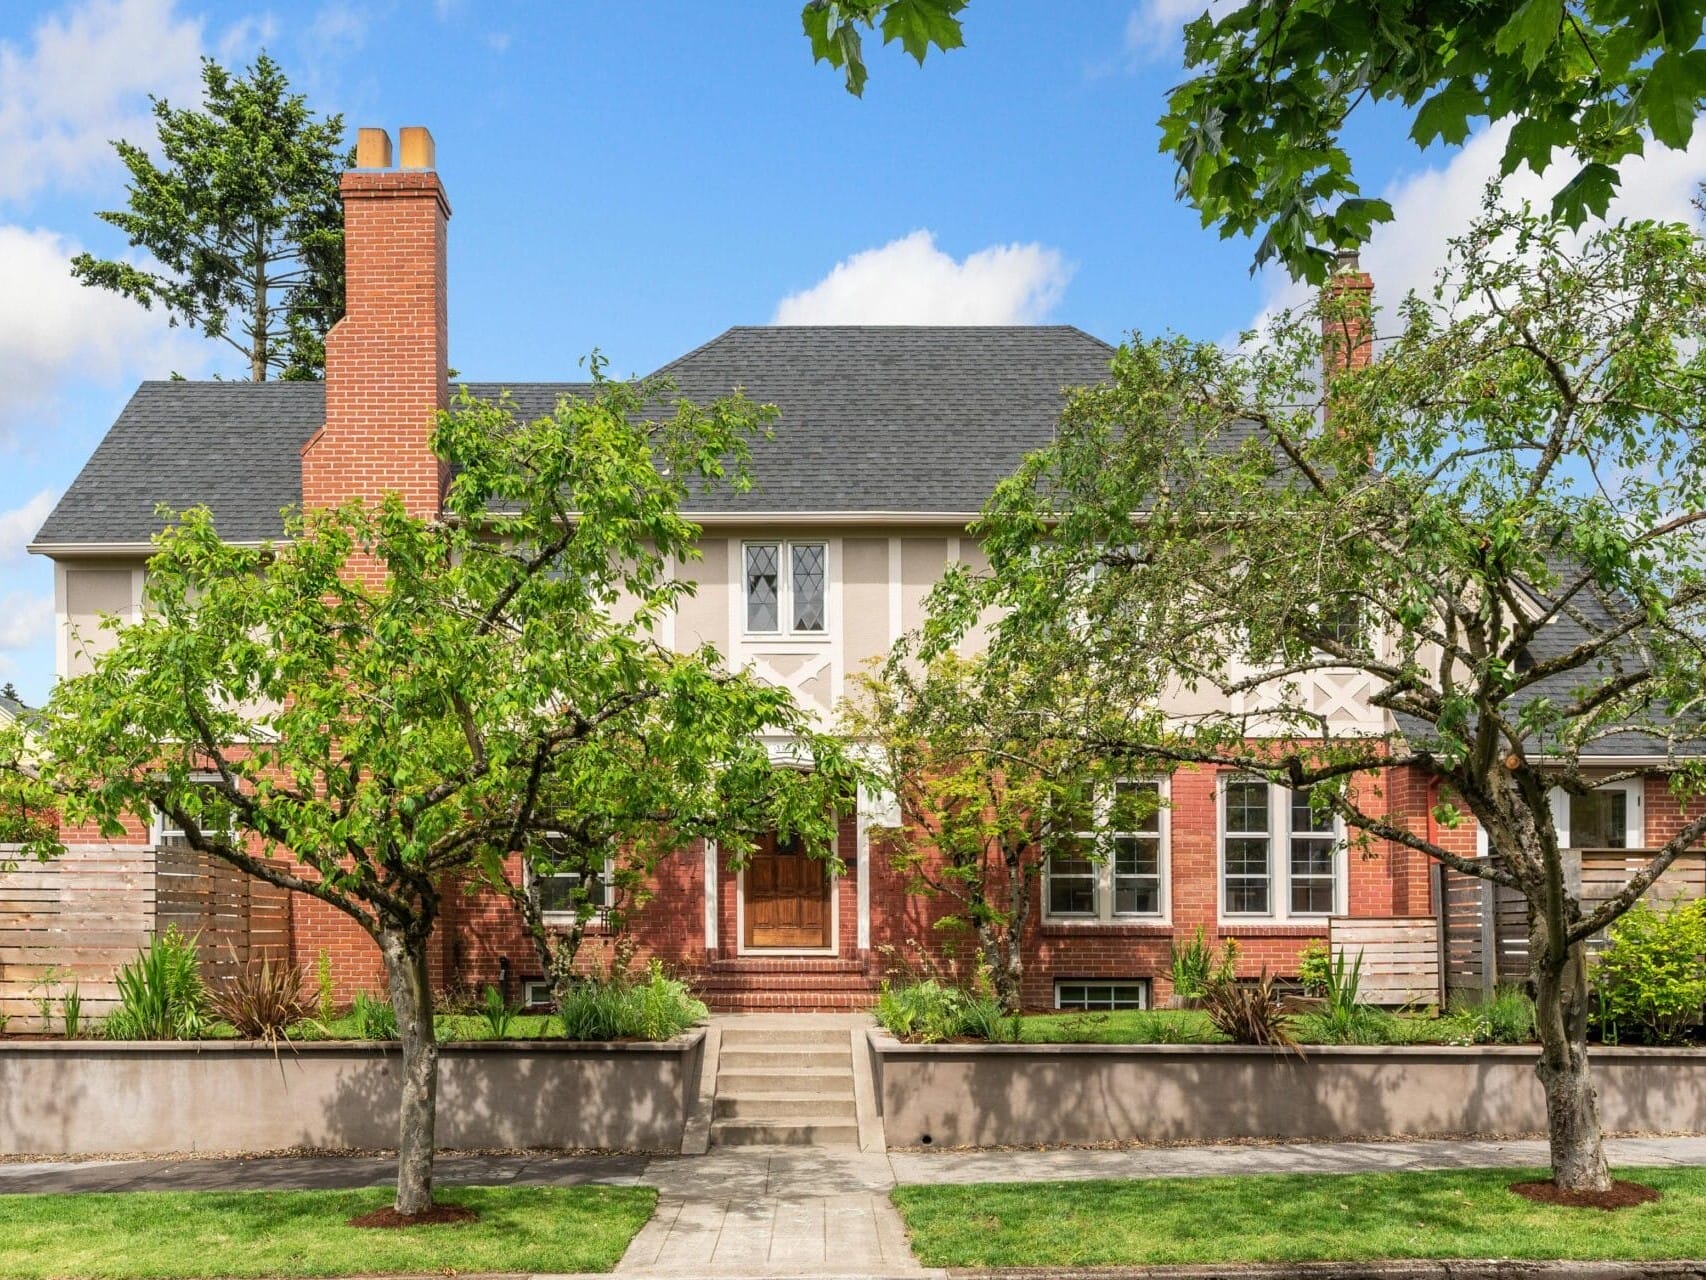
x=912 y=282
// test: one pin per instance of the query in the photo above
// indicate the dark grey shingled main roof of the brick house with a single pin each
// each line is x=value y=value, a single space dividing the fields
x=915 y=421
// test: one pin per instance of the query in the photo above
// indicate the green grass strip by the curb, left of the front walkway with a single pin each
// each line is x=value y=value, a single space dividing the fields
x=306 y=1235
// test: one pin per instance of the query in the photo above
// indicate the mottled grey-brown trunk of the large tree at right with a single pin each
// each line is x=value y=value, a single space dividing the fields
x=1572 y=1103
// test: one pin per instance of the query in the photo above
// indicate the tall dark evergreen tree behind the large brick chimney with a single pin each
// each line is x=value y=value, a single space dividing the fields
x=243 y=219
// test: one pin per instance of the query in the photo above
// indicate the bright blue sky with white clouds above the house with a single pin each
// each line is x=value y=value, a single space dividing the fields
x=639 y=177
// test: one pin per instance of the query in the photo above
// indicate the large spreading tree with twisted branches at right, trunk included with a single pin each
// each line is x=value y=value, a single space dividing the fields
x=1495 y=538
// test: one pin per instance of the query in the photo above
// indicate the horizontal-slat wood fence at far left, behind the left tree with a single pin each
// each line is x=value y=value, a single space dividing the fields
x=71 y=924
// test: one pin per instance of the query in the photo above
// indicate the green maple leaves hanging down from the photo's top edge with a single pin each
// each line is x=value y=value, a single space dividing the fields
x=1258 y=129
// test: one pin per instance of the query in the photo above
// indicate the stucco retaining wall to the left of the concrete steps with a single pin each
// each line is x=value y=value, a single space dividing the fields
x=91 y=1097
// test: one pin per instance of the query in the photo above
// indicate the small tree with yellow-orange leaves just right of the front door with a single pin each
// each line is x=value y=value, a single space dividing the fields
x=987 y=801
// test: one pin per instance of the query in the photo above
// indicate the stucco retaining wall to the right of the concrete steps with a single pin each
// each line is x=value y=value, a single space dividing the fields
x=992 y=1095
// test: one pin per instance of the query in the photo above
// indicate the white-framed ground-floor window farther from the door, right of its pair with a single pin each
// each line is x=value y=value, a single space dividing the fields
x=1280 y=858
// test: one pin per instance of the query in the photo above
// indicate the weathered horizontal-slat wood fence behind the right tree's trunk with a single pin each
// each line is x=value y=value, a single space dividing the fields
x=1482 y=919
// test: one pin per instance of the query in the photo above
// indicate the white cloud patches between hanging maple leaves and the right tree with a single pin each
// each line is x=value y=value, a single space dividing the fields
x=1434 y=206
